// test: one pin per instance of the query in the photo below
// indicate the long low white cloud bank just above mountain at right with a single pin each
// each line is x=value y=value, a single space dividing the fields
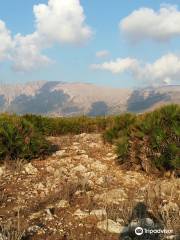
x=164 y=70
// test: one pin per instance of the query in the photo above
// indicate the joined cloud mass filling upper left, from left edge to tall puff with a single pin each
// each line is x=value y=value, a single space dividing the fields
x=58 y=21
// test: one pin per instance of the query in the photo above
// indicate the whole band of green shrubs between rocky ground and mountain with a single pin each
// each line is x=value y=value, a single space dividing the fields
x=156 y=134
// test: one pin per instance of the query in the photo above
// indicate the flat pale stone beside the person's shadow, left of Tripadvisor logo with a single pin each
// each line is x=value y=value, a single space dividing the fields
x=110 y=226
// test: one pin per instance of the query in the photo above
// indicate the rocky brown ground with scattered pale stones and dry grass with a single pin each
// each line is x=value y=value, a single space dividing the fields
x=81 y=192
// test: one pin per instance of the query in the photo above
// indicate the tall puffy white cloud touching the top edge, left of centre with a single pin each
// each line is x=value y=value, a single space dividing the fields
x=62 y=21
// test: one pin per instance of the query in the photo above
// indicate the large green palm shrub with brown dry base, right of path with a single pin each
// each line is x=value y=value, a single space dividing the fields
x=158 y=133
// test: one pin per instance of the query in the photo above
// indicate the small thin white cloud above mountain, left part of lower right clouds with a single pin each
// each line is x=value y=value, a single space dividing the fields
x=120 y=65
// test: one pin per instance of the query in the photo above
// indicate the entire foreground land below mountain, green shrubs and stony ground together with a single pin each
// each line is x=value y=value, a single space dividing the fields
x=90 y=178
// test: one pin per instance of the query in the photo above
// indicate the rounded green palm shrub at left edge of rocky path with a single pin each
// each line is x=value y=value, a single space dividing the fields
x=19 y=139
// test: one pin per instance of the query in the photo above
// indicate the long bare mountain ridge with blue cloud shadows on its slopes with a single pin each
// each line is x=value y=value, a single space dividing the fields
x=67 y=99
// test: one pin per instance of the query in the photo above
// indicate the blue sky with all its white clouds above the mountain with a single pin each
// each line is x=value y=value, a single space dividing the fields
x=115 y=43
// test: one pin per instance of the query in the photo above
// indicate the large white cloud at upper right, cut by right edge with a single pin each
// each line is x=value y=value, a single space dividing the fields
x=146 y=23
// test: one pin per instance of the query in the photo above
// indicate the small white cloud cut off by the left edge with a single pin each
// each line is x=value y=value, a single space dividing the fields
x=5 y=40
